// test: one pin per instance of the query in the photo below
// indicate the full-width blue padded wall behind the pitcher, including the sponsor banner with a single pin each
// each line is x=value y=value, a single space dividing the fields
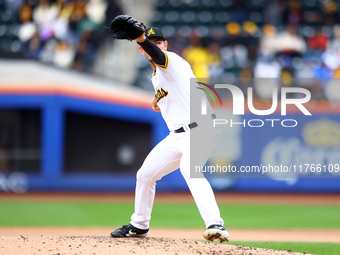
x=263 y=145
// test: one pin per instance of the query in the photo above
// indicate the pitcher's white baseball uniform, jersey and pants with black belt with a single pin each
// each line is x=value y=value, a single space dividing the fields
x=172 y=87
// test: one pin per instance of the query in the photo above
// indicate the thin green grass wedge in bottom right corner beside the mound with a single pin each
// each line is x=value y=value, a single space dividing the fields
x=310 y=248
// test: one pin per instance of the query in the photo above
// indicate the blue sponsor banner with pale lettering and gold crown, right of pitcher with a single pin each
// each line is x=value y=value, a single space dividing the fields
x=309 y=150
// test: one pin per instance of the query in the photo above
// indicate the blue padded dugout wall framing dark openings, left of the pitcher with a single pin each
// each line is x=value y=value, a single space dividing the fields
x=53 y=108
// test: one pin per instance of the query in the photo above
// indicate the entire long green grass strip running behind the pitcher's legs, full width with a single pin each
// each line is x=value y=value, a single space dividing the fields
x=167 y=215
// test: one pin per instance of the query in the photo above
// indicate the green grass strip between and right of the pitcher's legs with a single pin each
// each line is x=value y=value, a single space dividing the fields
x=253 y=216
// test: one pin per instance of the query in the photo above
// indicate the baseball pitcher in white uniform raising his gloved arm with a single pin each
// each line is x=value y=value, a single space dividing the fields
x=171 y=82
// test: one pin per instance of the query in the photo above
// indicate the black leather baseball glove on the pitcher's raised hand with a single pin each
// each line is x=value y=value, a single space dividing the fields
x=126 y=27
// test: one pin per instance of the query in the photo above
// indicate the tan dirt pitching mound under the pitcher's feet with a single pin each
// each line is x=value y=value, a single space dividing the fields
x=103 y=245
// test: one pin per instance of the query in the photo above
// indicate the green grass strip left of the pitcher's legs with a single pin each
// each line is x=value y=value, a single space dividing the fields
x=63 y=214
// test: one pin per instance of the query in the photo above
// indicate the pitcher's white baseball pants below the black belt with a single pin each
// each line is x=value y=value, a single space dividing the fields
x=170 y=154
